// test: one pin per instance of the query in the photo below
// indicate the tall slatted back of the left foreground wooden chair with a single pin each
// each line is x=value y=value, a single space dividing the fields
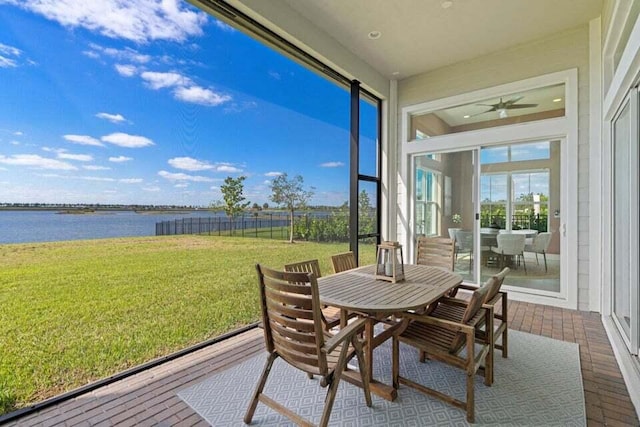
x=292 y=318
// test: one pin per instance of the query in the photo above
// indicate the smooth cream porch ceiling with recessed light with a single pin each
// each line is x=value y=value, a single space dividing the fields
x=421 y=35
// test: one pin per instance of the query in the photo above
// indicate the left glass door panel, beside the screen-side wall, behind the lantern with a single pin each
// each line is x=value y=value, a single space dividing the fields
x=443 y=200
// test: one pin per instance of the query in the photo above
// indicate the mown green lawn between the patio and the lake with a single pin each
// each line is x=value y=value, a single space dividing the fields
x=74 y=312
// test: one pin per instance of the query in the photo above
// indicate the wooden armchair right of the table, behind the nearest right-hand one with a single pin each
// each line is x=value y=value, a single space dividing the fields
x=454 y=309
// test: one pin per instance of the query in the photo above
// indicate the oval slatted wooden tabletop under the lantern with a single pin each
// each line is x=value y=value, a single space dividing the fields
x=359 y=290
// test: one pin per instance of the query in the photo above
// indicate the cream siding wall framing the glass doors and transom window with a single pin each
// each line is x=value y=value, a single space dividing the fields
x=562 y=52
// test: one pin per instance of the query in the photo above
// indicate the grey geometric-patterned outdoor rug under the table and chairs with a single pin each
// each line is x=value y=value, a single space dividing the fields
x=538 y=385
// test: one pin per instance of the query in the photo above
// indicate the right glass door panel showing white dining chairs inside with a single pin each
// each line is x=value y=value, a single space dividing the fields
x=519 y=187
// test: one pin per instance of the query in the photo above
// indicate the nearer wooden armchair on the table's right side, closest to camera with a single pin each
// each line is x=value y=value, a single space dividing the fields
x=445 y=340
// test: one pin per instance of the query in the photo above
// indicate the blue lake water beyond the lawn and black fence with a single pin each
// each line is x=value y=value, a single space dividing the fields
x=50 y=226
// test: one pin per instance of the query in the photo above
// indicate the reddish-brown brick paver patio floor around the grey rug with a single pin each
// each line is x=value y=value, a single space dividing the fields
x=149 y=398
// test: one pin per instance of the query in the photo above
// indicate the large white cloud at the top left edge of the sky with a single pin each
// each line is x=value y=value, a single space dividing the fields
x=136 y=20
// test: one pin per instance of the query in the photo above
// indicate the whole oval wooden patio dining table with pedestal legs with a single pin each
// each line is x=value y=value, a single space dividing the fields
x=359 y=291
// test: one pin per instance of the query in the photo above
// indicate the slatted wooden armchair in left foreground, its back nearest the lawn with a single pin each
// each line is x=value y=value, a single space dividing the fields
x=293 y=330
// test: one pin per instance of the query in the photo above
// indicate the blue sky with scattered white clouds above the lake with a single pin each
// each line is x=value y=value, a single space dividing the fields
x=156 y=102
